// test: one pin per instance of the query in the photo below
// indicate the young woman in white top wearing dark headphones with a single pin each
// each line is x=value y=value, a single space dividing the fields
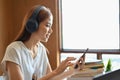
x=26 y=58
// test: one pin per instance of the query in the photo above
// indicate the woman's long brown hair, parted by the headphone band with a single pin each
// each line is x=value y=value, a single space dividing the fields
x=44 y=13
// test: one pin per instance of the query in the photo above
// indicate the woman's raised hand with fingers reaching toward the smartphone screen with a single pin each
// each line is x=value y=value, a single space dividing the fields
x=64 y=64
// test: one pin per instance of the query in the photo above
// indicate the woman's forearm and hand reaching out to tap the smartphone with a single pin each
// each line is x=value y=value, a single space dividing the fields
x=60 y=69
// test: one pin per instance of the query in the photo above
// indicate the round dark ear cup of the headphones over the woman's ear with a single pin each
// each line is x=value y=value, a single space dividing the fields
x=31 y=25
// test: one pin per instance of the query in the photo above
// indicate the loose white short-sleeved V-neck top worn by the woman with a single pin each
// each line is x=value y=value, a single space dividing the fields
x=18 y=53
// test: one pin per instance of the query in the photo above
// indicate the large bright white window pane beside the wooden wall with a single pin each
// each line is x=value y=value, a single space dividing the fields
x=92 y=24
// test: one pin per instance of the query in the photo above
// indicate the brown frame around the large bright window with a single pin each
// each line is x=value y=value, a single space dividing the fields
x=97 y=51
